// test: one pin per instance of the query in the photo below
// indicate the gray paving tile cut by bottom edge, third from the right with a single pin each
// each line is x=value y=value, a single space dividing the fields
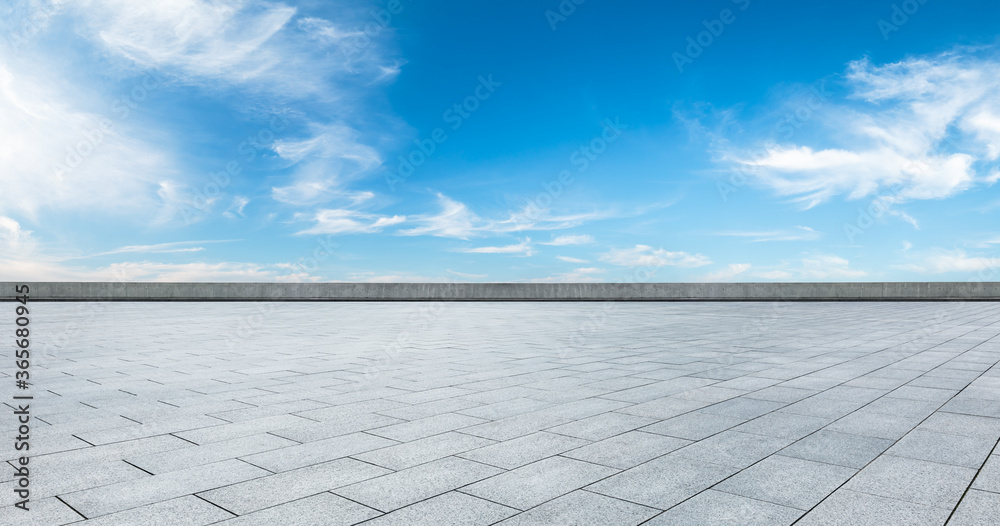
x=715 y=508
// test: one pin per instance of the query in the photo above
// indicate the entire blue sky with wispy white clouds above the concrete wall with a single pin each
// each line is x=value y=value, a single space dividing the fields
x=528 y=141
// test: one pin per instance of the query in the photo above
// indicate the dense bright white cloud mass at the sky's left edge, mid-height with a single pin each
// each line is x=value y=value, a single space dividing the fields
x=56 y=155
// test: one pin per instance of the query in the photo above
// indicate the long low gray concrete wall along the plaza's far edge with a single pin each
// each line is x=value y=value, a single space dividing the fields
x=939 y=291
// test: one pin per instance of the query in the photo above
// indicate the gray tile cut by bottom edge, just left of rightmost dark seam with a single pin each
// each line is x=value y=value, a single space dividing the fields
x=850 y=508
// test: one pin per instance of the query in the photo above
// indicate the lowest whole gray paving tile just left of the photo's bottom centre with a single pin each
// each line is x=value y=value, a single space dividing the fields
x=395 y=490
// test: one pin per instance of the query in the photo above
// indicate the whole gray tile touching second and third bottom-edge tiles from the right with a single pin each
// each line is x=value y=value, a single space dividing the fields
x=787 y=481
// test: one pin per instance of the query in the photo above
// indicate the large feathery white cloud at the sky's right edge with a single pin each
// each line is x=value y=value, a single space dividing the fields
x=915 y=129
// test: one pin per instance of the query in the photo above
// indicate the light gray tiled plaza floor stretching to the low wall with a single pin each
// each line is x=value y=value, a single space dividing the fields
x=511 y=413
